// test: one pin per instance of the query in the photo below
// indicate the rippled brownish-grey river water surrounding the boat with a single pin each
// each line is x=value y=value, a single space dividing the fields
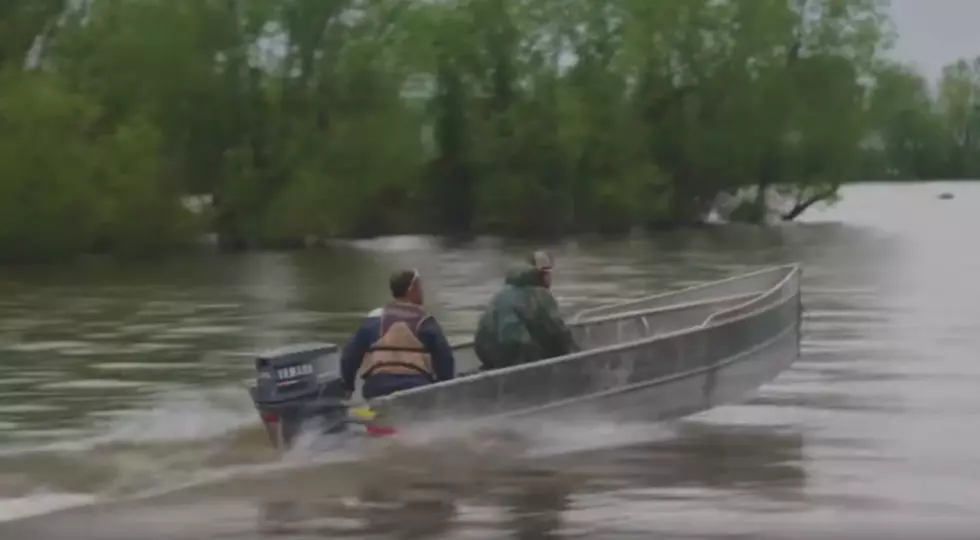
x=123 y=415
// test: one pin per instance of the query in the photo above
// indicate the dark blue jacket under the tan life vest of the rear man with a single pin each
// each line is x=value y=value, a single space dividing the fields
x=380 y=384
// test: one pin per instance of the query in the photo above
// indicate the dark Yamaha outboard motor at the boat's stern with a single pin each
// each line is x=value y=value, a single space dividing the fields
x=298 y=386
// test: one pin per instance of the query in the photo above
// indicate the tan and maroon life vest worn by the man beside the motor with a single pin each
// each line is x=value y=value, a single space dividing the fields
x=398 y=349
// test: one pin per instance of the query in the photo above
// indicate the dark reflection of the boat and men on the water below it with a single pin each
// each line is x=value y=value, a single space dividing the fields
x=532 y=499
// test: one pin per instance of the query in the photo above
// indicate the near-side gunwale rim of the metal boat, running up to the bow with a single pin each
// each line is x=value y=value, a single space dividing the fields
x=791 y=271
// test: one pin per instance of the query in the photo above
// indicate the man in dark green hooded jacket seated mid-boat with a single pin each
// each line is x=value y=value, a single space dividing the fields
x=522 y=323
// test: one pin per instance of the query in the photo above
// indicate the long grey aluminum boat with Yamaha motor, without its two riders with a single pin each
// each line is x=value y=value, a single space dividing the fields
x=658 y=357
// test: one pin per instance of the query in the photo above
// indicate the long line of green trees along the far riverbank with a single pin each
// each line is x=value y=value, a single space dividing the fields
x=323 y=118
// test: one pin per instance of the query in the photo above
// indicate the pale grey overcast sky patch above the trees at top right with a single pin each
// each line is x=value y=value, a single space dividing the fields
x=935 y=32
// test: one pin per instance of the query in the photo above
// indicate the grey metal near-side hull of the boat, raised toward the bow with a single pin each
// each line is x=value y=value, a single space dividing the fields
x=739 y=345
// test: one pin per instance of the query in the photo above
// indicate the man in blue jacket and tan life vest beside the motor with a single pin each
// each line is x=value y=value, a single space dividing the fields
x=398 y=346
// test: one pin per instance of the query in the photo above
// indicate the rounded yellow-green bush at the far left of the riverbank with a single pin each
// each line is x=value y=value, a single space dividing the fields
x=69 y=185
